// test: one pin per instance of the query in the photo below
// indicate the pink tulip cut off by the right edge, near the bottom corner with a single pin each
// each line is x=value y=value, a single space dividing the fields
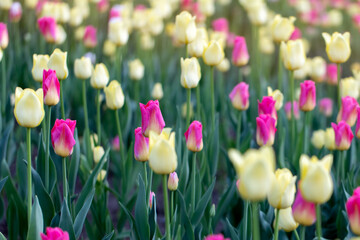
x=353 y=211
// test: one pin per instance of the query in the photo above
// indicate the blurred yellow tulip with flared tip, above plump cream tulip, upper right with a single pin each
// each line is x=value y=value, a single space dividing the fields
x=282 y=28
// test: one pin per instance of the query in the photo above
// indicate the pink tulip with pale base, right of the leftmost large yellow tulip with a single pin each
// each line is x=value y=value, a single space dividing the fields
x=62 y=137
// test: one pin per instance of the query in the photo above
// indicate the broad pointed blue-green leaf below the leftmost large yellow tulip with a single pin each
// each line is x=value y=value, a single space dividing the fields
x=36 y=222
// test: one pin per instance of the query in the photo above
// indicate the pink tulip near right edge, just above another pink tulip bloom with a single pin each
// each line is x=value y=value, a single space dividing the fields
x=348 y=112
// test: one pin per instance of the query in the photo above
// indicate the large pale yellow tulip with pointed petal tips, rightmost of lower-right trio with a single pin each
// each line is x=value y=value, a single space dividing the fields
x=316 y=183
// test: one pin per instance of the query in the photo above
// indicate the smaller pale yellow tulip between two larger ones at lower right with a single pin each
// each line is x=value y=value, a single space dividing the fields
x=282 y=191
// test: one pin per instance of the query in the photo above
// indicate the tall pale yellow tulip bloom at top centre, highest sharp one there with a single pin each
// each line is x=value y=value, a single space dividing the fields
x=185 y=27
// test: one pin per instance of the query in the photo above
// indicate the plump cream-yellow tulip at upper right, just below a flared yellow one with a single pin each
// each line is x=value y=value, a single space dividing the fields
x=293 y=54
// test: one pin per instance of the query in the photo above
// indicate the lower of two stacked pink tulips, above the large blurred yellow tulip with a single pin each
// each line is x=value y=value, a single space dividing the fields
x=265 y=130
